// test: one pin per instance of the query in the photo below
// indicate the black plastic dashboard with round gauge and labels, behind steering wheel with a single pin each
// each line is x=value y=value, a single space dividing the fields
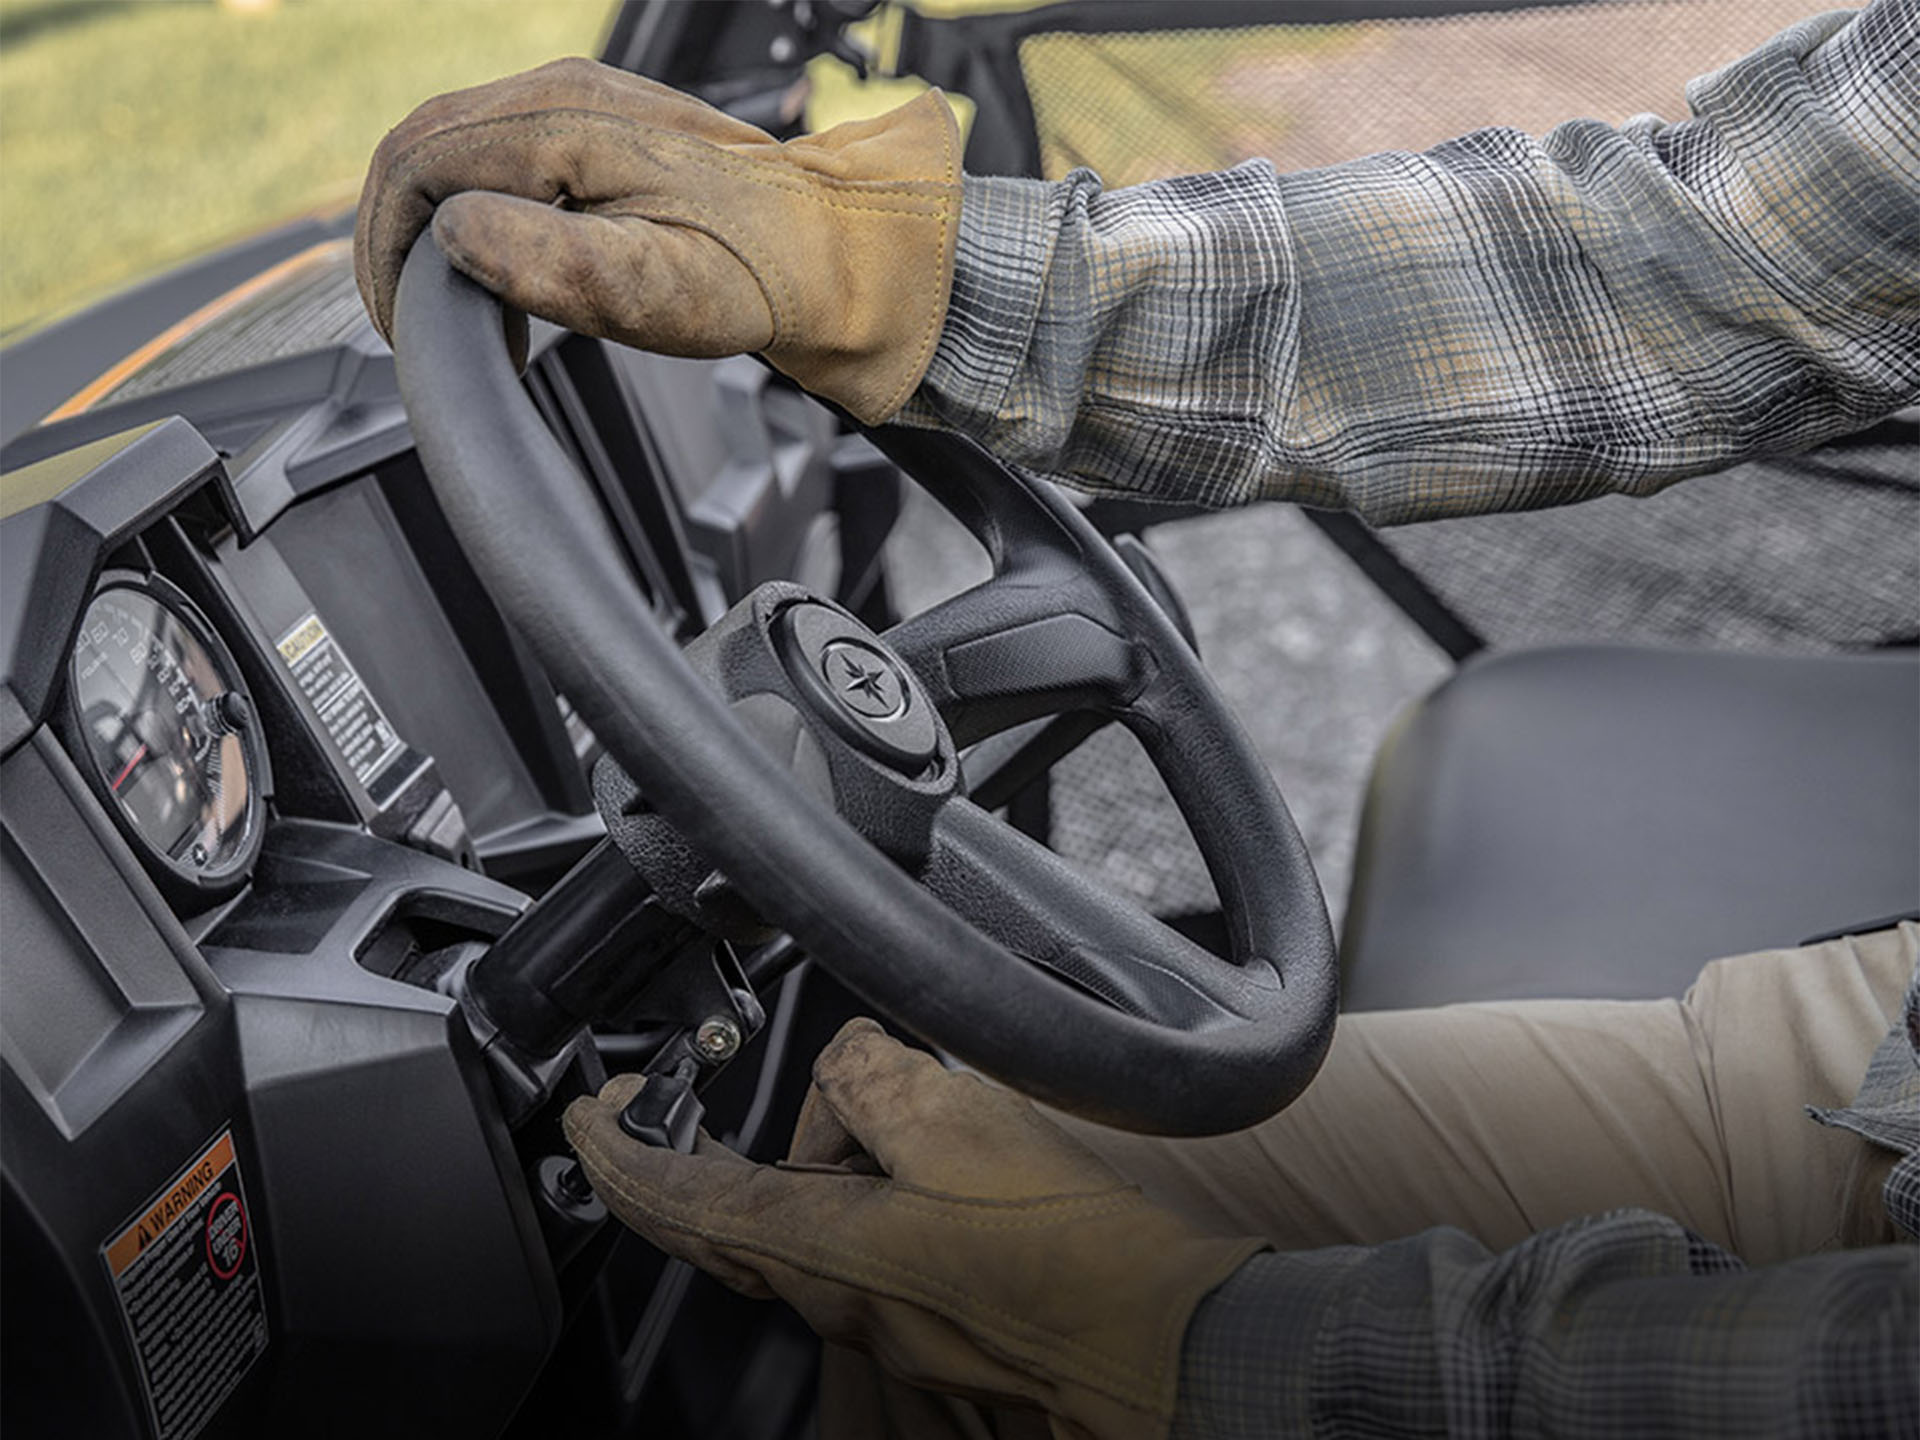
x=274 y=765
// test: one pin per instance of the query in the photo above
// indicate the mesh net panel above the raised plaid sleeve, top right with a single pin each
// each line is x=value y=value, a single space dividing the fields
x=1147 y=105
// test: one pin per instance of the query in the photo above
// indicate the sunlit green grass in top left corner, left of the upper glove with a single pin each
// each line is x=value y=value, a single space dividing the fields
x=147 y=132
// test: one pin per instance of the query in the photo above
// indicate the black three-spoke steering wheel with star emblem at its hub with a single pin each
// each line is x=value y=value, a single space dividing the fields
x=817 y=763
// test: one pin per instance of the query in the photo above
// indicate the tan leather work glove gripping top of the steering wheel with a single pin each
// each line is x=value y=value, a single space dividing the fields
x=621 y=208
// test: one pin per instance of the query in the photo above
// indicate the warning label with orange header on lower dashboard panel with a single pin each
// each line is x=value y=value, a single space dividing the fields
x=187 y=1278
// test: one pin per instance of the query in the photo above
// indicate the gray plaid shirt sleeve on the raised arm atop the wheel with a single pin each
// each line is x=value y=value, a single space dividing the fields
x=1497 y=324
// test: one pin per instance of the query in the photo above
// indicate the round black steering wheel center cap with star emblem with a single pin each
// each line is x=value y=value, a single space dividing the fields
x=857 y=686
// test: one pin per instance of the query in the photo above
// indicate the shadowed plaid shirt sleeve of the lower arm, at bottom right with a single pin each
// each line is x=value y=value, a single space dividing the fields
x=1618 y=1326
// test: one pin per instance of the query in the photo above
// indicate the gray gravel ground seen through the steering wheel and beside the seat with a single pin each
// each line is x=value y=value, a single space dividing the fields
x=1312 y=660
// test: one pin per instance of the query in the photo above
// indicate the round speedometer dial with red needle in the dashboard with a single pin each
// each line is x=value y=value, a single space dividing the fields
x=170 y=732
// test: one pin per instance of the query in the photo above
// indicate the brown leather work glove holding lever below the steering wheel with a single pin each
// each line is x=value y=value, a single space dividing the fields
x=942 y=1226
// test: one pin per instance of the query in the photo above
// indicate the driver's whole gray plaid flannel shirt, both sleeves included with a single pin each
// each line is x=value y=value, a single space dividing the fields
x=1500 y=324
